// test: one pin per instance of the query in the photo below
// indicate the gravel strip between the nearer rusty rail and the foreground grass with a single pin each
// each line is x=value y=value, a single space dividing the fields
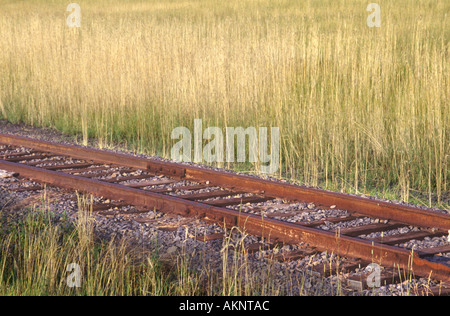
x=292 y=278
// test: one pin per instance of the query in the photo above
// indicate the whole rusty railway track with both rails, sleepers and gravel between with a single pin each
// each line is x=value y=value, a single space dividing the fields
x=228 y=199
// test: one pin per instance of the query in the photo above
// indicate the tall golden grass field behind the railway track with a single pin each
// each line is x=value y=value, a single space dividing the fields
x=358 y=108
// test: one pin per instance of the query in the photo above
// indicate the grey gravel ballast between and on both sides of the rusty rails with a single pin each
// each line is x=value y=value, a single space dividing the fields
x=171 y=235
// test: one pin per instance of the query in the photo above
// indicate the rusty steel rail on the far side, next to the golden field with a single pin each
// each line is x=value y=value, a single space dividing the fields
x=370 y=207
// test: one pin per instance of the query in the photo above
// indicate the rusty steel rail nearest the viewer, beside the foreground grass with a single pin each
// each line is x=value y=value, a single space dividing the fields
x=273 y=229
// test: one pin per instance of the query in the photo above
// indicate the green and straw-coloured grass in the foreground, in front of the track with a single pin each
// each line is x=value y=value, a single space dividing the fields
x=38 y=250
